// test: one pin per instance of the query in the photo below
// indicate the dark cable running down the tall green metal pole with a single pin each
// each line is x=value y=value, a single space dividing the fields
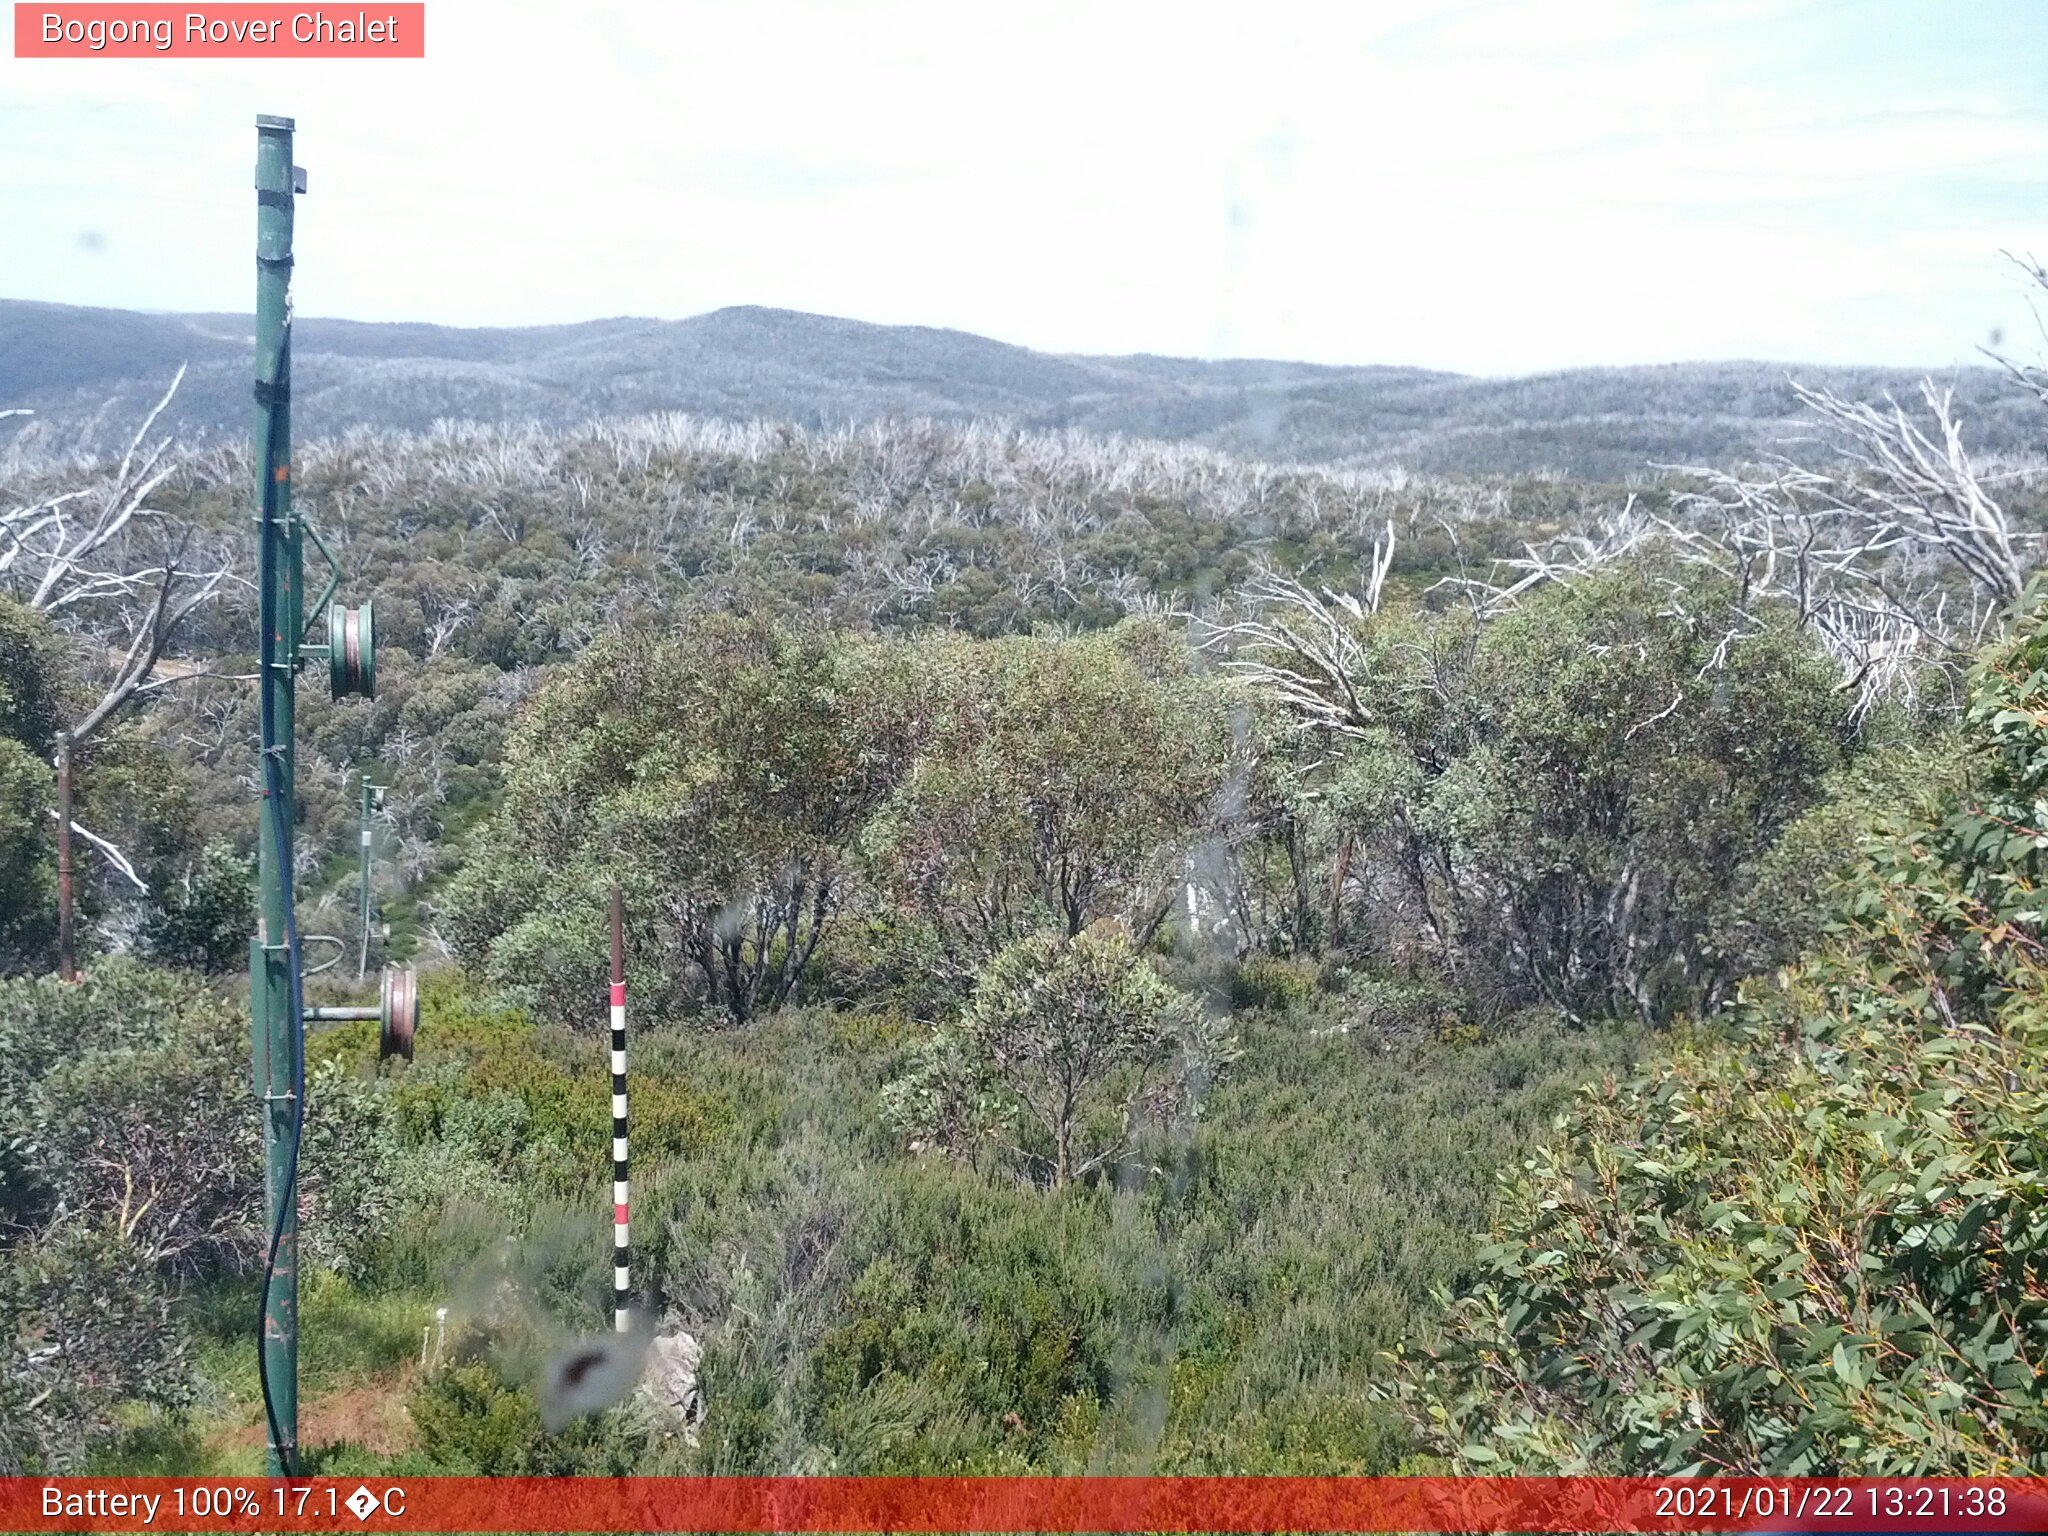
x=282 y=835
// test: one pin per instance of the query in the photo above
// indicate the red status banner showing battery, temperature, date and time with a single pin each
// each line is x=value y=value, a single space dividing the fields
x=1025 y=1504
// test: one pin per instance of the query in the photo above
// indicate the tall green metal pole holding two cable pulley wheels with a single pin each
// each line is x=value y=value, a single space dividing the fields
x=280 y=1031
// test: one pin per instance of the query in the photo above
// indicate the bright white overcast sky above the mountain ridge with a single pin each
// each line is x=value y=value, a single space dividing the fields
x=1494 y=187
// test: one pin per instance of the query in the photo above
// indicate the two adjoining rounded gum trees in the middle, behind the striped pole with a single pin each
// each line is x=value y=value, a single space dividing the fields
x=744 y=779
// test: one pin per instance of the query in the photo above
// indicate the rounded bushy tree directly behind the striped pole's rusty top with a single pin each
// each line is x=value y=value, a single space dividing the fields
x=722 y=775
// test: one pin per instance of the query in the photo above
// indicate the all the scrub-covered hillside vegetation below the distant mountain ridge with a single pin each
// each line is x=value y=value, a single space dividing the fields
x=1103 y=921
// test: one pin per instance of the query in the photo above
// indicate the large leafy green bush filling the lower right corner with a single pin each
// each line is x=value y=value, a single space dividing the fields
x=1818 y=1244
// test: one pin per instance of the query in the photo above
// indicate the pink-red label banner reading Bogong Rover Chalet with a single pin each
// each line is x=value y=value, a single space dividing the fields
x=212 y=32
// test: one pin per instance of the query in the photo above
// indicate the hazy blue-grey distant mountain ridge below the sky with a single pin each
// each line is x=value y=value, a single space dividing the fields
x=91 y=372
